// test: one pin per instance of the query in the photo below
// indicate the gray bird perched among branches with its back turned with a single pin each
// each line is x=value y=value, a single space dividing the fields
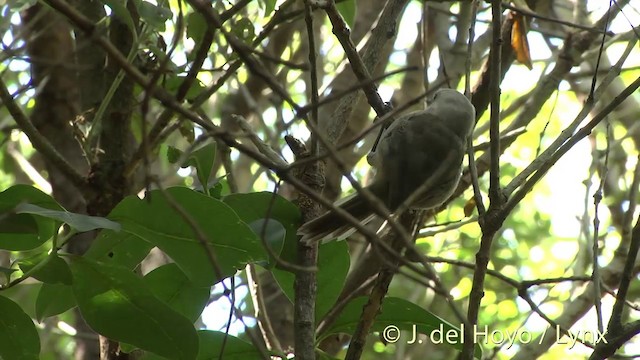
x=412 y=150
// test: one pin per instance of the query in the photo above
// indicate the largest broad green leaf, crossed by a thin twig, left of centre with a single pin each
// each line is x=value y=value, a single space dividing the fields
x=155 y=220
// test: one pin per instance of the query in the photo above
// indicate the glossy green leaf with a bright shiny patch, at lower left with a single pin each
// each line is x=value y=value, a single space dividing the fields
x=116 y=303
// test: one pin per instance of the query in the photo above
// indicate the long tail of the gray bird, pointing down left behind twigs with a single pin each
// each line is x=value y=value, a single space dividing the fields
x=330 y=225
